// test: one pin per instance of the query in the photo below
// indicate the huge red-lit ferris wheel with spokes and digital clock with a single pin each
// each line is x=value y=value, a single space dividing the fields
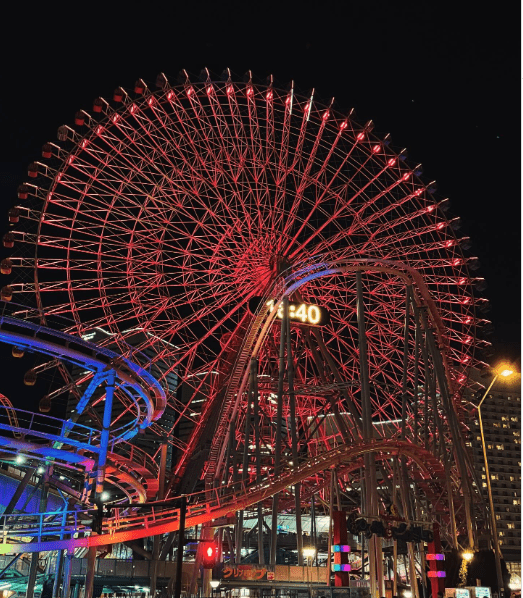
x=175 y=211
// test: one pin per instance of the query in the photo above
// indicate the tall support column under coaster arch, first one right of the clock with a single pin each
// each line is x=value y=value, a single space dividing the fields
x=371 y=497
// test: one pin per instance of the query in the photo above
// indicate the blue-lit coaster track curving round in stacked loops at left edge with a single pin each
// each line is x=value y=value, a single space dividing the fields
x=74 y=446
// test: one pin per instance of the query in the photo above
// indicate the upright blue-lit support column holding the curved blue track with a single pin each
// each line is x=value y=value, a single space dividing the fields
x=100 y=474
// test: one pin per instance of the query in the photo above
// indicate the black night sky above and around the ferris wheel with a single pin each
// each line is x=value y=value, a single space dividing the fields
x=443 y=81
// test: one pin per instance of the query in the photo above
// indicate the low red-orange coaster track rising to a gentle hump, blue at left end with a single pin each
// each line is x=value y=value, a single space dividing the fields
x=49 y=530
